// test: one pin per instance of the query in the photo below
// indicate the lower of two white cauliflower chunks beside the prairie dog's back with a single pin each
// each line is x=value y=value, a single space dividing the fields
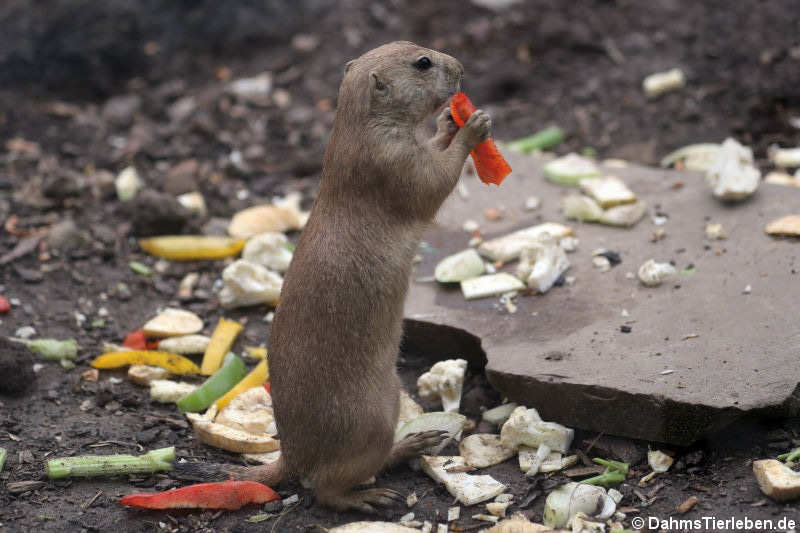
x=247 y=283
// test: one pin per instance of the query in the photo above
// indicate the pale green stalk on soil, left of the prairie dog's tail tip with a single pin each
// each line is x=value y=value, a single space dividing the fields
x=111 y=465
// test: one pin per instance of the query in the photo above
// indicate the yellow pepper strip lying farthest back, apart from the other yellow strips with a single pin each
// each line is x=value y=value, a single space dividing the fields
x=192 y=247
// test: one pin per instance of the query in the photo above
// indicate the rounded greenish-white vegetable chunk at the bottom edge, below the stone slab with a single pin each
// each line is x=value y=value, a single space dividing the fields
x=568 y=500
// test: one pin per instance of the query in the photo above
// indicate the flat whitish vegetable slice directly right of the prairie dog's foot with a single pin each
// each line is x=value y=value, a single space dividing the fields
x=467 y=488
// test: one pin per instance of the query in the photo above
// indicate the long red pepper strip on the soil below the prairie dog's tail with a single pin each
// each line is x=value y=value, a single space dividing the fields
x=221 y=495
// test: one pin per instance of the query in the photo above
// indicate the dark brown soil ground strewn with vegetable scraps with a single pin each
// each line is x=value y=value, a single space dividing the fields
x=152 y=93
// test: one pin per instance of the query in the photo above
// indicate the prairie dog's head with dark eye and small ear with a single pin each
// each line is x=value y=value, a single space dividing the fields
x=399 y=80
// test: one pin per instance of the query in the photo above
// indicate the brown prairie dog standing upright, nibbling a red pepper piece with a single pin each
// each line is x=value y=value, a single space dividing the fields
x=334 y=341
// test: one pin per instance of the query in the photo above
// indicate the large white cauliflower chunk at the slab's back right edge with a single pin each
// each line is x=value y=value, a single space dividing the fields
x=732 y=175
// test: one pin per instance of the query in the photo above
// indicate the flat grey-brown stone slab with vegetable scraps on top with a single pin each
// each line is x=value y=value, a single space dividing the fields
x=729 y=353
